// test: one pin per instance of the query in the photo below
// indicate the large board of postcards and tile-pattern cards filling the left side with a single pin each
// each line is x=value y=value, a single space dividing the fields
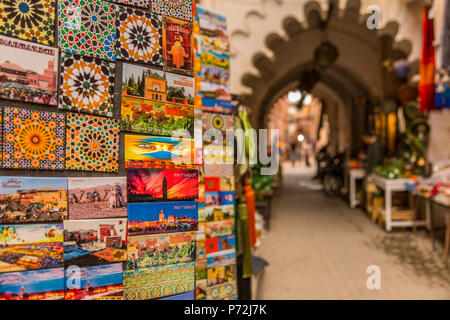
x=97 y=200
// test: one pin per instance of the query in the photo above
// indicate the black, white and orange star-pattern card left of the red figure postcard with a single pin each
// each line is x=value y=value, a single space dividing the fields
x=139 y=36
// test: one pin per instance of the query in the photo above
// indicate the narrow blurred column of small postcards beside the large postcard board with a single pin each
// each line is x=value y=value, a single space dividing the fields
x=216 y=243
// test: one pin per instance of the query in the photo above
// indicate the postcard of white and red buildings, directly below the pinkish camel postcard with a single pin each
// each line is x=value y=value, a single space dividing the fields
x=95 y=241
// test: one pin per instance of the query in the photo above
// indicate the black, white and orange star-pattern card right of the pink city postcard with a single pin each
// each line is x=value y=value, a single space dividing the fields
x=87 y=85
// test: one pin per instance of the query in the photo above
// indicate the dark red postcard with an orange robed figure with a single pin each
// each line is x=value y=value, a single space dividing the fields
x=177 y=46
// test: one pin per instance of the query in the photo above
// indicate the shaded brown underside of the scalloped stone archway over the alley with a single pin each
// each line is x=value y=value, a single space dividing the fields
x=358 y=71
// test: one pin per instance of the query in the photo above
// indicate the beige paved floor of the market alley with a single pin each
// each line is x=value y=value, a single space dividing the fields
x=319 y=248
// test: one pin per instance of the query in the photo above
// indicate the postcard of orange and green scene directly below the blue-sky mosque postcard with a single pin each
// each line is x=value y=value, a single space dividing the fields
x=160 y=249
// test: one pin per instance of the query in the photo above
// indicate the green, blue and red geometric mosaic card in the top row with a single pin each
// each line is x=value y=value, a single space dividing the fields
x=87 y=27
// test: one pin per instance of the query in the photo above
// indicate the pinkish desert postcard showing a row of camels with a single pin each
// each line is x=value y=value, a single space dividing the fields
x=93 y=198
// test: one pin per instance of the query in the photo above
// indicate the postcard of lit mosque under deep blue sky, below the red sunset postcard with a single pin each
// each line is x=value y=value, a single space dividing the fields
x=162 y=217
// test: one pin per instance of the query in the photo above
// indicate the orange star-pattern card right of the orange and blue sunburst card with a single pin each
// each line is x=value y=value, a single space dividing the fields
x=92 y=143
